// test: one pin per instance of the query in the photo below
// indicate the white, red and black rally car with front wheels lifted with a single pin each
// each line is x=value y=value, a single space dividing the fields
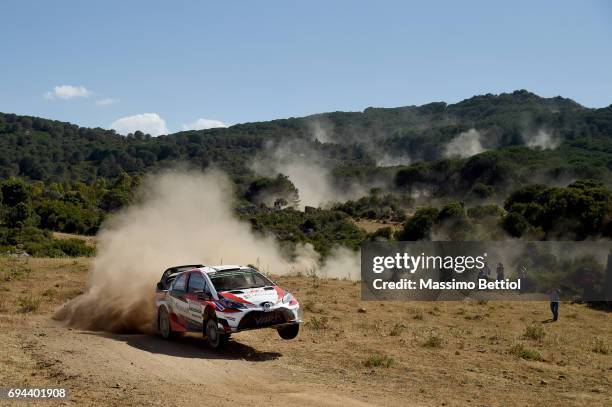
x=220 y=300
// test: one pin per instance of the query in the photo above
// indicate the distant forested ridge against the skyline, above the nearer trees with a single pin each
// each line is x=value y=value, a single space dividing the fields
x=49 y=150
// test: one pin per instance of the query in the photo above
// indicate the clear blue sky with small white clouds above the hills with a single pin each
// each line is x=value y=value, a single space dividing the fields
x=245 y=61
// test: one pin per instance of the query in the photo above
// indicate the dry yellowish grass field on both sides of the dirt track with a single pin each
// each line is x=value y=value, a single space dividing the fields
x=380 y=353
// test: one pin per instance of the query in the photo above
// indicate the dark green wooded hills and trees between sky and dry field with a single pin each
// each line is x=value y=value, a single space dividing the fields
x=57 y=176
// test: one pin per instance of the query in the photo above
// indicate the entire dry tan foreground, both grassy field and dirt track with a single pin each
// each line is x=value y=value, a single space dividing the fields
x=453 y=353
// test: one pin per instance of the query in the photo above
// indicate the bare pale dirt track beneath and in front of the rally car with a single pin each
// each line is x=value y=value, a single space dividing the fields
x=101 y=368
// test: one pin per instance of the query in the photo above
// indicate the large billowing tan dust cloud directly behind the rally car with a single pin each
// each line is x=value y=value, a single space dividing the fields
x=180 y=218
